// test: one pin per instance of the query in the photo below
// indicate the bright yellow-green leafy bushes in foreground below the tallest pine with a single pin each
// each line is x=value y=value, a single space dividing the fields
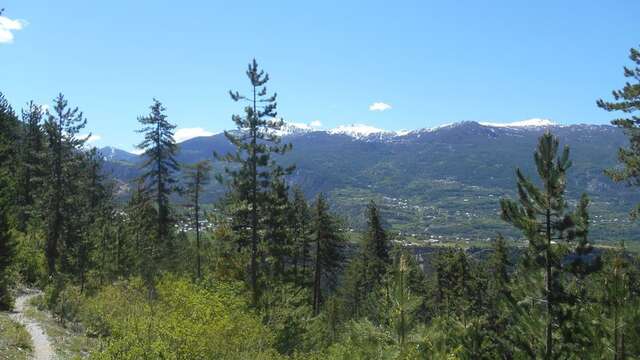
x=184 y=321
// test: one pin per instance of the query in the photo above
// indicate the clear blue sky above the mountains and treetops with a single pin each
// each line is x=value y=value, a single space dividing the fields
x=431 y=62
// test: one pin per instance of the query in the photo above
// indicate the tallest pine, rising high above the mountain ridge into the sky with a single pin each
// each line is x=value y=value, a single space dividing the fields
x=255 y=141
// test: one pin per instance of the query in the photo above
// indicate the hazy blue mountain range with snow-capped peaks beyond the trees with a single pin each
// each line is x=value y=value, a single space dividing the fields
x=436 y=183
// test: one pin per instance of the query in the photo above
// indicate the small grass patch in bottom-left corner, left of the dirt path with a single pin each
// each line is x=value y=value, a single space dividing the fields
x=15 y=342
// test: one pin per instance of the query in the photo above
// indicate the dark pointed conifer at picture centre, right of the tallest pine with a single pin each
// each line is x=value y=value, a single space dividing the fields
x=327 y=253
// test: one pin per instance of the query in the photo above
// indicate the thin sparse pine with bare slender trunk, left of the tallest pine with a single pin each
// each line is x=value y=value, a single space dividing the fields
x=198 y=176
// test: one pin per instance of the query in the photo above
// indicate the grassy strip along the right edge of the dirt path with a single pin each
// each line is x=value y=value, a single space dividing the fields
x=69 y=342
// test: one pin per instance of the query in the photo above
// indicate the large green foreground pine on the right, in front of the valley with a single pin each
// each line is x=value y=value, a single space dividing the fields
x=542 y=216
